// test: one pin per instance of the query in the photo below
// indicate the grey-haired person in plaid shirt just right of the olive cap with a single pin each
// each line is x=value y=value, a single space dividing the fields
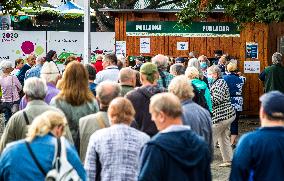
x=162 y=63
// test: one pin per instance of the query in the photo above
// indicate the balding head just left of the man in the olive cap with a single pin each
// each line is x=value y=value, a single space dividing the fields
x=127 y=76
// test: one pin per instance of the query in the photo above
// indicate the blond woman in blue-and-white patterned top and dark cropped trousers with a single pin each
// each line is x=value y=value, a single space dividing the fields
x=235 y=83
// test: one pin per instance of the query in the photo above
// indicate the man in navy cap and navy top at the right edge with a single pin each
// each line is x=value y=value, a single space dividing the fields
x=260 y=154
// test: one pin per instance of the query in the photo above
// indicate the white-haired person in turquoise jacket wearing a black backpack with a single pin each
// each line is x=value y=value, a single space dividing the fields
x=201 y=91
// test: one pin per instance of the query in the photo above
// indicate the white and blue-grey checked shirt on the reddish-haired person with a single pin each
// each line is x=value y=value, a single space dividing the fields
x=118 y=148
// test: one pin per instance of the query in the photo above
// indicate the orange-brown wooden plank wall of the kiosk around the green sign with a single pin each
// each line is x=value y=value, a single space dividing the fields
x=233 y=46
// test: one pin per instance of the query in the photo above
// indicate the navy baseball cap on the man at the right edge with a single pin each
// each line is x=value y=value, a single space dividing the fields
x=273 y=104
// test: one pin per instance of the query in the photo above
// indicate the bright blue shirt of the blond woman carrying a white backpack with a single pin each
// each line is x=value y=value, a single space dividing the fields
x=16 y=162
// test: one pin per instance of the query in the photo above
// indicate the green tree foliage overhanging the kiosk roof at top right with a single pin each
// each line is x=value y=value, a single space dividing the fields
x=263 y=11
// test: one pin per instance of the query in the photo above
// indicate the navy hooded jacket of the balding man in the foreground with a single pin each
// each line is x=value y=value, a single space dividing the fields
x=178 y=155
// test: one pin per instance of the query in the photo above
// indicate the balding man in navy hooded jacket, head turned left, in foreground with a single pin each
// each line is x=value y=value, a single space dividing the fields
x=176 y=153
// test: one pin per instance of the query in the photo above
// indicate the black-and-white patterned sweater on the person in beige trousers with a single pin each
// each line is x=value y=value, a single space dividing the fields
x=220 y=96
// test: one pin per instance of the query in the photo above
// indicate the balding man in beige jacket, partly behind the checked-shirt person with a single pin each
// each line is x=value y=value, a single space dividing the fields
x=105 y=92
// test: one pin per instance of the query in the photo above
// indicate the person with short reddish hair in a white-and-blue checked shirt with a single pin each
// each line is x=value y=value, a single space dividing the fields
x=117 y=148
